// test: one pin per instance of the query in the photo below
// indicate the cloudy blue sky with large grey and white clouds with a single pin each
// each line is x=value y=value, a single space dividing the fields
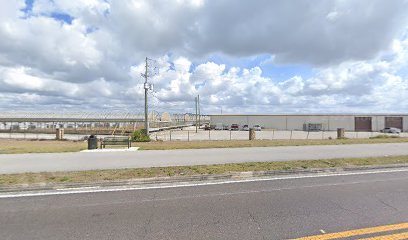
x=257 y=57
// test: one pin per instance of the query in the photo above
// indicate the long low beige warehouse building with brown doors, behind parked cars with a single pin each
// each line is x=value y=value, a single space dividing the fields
x=325 y=122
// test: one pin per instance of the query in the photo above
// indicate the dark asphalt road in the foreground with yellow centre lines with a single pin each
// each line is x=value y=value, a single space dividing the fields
x=273 y=209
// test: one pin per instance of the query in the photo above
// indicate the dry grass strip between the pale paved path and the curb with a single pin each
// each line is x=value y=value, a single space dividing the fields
x=7 y=180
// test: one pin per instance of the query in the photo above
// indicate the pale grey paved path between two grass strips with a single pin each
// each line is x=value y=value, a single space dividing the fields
x=19 y=163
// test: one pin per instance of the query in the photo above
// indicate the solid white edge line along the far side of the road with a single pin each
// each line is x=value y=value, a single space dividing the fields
x=100 y=189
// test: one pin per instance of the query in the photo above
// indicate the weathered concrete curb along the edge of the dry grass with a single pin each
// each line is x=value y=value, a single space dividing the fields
x=195 y=178
